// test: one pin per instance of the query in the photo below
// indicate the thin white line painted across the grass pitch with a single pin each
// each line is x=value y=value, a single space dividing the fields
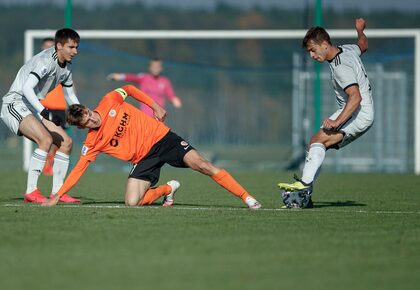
x=116 y=206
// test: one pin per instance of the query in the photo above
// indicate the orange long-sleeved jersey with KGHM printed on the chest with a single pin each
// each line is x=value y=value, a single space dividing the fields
x=125 y=132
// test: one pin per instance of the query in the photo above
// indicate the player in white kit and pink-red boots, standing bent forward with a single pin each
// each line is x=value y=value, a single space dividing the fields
x=24 y=115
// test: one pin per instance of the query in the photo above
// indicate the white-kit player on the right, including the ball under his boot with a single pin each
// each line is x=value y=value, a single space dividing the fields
x=355 y=106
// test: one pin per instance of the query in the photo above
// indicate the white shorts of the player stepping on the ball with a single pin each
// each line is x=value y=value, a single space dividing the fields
x=356 y=126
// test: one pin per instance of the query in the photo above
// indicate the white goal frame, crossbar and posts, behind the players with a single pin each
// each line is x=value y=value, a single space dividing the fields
x=31 y=35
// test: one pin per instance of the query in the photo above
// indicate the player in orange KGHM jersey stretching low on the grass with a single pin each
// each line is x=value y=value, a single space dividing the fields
x=123 y=131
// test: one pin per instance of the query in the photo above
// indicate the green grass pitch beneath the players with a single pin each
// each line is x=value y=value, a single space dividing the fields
x=364 y=233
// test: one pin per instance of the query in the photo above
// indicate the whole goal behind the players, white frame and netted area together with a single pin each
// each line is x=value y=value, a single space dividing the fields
x=248 y=95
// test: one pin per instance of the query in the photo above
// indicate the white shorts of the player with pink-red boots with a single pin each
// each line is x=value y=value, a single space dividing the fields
x=14 y=110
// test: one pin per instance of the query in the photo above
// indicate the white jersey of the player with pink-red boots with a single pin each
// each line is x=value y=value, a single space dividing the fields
x=46 y=68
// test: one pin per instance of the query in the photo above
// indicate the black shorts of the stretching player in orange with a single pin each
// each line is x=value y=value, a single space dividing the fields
x=170 y=149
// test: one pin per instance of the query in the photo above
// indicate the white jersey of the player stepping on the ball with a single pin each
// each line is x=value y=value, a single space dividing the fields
x=347 y=70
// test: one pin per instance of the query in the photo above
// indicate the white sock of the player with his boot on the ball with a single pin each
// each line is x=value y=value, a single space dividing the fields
x=313 y=162
